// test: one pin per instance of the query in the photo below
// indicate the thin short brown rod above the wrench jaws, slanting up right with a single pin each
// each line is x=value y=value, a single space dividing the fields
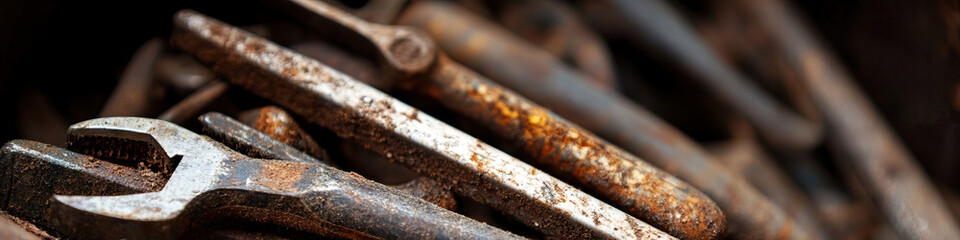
x=189 y=108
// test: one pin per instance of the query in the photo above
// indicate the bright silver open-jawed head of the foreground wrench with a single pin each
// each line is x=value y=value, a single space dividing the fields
x=201 y=162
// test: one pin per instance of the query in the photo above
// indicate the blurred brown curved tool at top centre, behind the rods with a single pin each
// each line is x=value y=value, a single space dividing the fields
x=555 y=27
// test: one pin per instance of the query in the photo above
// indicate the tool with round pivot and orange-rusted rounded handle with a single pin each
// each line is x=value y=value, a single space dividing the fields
x=558 y=146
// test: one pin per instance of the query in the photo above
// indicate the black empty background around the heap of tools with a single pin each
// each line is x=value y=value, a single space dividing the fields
x=68 y=56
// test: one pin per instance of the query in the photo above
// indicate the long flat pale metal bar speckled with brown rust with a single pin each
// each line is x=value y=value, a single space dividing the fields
x=356 y=111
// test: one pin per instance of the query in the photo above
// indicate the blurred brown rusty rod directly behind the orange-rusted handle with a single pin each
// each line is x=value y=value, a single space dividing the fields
x=749 y=214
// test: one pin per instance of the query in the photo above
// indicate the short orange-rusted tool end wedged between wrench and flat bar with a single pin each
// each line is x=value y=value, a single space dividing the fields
x=279 y=125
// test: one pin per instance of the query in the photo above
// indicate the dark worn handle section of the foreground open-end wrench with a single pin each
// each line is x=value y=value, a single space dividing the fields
x=354 y=202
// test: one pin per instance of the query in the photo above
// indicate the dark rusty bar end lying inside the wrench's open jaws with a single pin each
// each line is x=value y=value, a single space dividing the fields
x=33 y=172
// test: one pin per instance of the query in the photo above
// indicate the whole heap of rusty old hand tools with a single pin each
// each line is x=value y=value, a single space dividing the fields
x=474 y=119
